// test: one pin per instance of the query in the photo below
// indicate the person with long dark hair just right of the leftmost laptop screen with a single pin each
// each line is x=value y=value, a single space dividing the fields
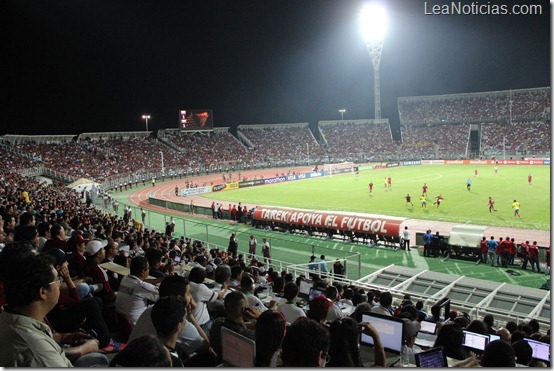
x=270 y=331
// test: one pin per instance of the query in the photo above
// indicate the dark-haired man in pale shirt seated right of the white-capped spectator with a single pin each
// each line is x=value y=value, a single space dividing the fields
x=134 y=293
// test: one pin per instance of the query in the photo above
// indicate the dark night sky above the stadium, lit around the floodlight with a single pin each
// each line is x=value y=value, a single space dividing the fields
x=73 y=66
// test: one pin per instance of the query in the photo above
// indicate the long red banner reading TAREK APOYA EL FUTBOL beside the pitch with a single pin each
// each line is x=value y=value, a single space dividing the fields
x=361 y=223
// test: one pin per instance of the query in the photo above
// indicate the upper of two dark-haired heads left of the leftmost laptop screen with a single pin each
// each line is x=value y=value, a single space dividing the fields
x=168 y=316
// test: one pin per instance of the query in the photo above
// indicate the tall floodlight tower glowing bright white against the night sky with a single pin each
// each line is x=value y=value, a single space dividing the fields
x=374 y=22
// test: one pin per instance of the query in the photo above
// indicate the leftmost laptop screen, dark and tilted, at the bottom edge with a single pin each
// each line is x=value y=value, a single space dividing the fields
x=237 y=350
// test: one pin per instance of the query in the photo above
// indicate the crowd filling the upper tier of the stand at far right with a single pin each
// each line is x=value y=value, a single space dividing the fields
x=519 y=105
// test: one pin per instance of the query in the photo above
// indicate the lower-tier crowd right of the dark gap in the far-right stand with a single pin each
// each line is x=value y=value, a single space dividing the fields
x=519 y=137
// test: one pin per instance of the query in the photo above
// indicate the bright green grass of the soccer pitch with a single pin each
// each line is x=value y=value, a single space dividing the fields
x=347 y=192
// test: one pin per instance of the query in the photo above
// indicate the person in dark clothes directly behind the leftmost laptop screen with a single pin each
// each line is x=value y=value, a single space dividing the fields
x=237 y=311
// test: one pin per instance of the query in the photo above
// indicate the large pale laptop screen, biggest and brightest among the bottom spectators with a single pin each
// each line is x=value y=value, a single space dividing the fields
x=389 y=328
